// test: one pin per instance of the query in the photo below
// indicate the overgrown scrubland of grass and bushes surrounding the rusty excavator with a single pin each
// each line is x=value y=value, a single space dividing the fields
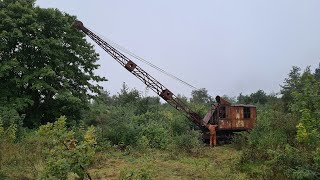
x=128 y=136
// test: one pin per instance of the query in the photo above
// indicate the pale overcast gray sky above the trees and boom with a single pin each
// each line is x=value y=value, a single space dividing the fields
x=225 y=46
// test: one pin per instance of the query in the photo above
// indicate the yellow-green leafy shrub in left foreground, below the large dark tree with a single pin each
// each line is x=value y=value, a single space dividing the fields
x=65 y=152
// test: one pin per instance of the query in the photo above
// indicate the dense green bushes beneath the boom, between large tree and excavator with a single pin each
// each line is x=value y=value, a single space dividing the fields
x=128 y=119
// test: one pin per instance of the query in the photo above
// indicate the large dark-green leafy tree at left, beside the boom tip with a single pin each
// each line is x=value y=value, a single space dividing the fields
x=46 y=65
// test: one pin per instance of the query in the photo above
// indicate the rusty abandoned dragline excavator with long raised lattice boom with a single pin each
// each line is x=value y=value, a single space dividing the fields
x=222 y=118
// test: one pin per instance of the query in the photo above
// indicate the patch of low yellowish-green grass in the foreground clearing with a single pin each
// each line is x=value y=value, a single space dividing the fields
x=209 y=163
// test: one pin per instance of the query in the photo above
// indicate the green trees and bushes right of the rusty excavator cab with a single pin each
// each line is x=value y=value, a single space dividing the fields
x=285 y=142
